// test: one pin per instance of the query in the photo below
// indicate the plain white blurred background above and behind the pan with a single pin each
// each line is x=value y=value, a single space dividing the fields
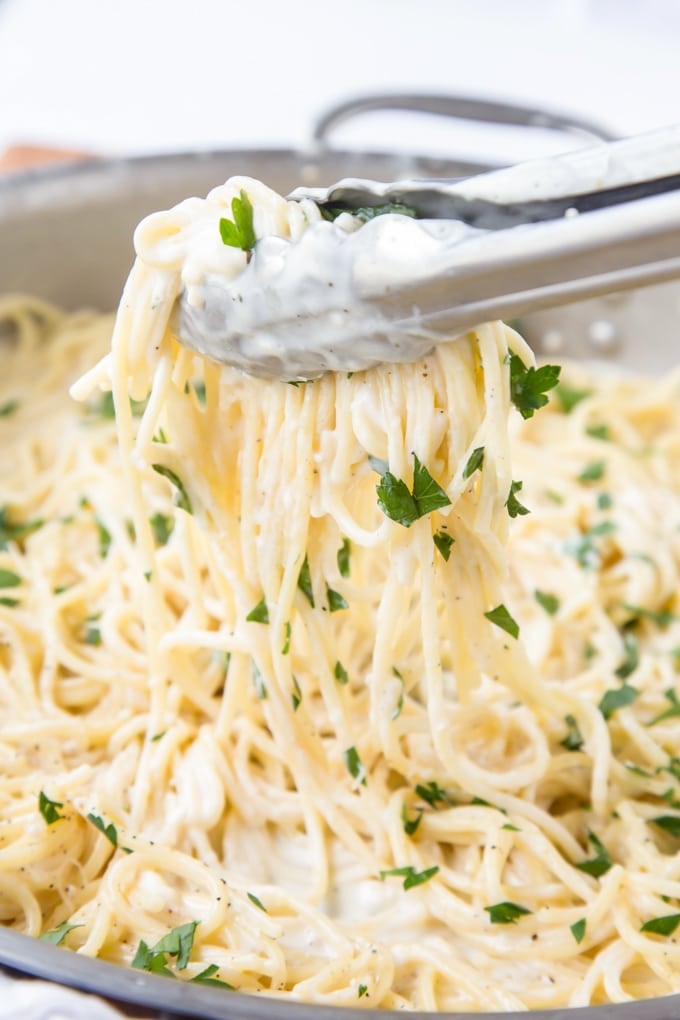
x=128 y=77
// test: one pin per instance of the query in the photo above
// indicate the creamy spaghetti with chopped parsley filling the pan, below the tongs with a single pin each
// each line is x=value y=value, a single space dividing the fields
x=258 y=730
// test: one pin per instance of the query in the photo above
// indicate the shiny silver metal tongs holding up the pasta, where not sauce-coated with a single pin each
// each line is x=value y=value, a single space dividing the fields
x=542 y=234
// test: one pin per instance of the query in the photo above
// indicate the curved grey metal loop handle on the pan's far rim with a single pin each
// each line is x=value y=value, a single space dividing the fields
x=461 y=109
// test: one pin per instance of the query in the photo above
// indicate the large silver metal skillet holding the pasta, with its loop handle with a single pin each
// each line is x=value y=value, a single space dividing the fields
x=66 y=235
